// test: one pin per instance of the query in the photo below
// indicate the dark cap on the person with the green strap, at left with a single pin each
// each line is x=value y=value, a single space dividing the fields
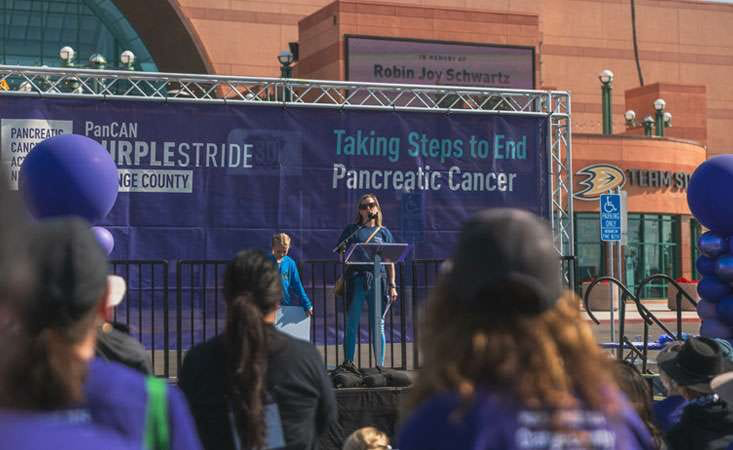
x=71 y=272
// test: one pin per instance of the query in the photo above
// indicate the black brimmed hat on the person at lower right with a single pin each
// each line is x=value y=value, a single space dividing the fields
x=696 y=363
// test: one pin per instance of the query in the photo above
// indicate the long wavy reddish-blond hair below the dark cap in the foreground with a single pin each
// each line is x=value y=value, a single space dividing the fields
x=548 y=360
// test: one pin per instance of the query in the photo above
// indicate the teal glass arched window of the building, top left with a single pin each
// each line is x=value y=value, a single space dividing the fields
x=33 y=31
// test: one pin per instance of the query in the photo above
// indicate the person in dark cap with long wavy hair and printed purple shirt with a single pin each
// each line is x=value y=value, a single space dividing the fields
x=508 y=361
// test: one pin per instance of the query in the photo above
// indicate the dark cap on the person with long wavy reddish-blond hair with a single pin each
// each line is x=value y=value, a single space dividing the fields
x=507 y=251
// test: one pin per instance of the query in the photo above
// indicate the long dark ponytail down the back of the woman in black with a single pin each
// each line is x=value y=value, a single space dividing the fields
x=247 y=342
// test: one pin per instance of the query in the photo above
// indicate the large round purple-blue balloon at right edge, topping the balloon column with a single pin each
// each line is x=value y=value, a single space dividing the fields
x=707 y=194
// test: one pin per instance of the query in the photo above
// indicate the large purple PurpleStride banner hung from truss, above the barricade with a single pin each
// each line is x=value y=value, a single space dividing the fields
x=203 y=181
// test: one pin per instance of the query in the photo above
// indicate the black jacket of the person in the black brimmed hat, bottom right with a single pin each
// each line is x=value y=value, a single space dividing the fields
x=703 y=426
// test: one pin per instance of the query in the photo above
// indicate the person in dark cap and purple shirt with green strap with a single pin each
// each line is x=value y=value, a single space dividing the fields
x=56 y=368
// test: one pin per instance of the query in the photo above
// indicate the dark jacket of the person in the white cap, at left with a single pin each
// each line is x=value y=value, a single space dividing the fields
x=118 y=346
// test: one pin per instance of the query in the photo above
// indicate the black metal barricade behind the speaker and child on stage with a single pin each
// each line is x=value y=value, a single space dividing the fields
x=199 y=310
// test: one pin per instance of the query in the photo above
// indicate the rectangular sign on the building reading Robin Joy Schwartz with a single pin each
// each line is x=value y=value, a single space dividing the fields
x=407 y=61
